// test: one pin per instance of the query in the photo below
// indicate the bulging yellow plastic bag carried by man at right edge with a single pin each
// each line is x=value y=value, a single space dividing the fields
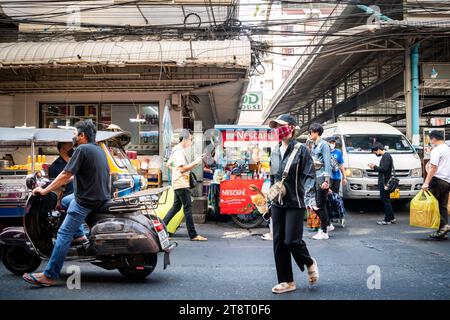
x=424 y=211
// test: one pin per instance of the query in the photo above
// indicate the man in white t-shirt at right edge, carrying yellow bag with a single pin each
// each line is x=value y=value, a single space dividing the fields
x=438 y=180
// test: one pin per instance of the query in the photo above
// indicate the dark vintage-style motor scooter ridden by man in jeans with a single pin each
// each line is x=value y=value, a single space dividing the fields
x=125 y=233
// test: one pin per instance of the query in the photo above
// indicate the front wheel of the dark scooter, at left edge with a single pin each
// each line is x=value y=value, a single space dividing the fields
x=19 y=260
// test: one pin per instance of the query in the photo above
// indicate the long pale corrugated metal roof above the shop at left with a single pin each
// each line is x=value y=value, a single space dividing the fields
x=233 y=53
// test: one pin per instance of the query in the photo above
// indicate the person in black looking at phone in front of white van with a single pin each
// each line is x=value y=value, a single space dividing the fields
x=384 y=170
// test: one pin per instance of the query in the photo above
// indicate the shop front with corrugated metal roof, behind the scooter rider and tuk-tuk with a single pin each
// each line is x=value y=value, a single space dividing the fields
x=127 y=85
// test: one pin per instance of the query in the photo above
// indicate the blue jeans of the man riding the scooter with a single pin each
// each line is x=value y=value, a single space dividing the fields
x=75 y=217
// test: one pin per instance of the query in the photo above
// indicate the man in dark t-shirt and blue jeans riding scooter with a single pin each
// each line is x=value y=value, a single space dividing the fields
x=89 y=167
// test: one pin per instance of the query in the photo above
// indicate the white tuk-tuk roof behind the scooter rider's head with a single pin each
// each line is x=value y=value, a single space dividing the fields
x=50 y=137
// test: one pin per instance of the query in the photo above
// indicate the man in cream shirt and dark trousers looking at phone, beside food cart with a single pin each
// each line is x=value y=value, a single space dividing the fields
x=180 y=183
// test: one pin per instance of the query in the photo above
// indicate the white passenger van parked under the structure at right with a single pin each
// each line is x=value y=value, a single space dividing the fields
x=355 y=140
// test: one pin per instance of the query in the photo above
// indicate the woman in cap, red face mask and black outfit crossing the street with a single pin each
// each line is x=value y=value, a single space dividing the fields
x=287 y=217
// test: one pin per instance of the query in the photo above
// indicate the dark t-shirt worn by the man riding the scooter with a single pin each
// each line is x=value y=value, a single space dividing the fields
x=90 y=168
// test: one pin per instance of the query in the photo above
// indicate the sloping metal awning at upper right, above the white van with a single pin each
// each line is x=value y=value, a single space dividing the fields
x=326 y=61
